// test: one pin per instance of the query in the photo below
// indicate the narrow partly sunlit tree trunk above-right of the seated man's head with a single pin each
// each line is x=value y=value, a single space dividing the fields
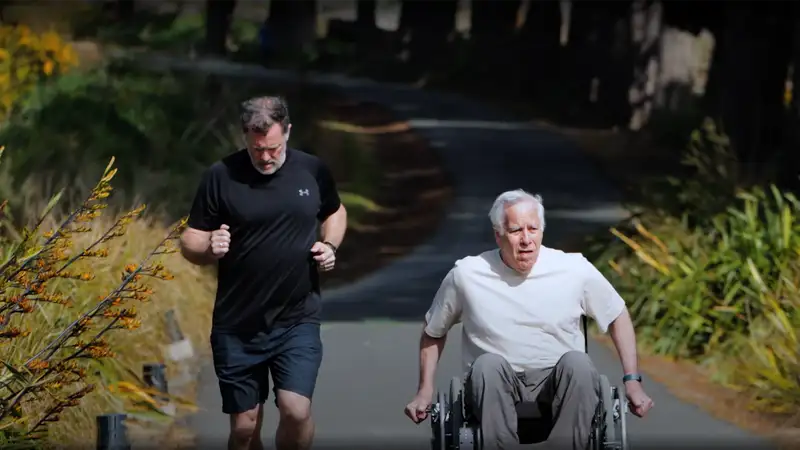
x=646 y=30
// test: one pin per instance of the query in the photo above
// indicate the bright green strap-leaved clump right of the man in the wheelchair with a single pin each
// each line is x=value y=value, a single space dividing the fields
x=693 y=288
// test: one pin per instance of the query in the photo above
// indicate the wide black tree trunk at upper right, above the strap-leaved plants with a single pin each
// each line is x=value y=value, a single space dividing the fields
x=748 y=81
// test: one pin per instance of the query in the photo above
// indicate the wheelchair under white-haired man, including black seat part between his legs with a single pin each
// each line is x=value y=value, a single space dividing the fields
x=454 y=428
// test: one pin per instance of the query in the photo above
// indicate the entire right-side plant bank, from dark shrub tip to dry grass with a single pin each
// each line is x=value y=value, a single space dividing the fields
x=720 y=282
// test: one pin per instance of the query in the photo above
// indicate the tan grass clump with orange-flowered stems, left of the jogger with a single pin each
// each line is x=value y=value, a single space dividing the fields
x=71 y=292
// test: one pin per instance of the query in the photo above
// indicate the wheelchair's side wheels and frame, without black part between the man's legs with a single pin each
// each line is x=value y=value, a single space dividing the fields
x=454 y=430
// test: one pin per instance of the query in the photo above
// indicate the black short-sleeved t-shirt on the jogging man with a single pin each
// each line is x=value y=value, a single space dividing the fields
x=268 y=278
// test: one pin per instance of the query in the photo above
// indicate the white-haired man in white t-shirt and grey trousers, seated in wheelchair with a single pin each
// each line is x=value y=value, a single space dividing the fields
x=521 y=307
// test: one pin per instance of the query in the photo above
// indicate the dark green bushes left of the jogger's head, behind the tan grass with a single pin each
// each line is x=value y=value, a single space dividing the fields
x=150 y=122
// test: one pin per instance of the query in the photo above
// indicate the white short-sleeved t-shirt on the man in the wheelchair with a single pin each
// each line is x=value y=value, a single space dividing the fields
x=530 y=320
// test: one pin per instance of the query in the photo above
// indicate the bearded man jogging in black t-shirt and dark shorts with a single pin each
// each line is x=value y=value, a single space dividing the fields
x=270 y=216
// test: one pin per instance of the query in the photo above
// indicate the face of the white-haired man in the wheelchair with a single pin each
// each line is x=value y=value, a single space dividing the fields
x=519 y=245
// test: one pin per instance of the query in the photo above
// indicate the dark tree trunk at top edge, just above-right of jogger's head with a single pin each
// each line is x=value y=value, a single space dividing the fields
x=293 y=24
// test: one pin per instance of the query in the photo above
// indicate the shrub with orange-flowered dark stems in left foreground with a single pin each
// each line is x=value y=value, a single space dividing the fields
x=46 y=371
